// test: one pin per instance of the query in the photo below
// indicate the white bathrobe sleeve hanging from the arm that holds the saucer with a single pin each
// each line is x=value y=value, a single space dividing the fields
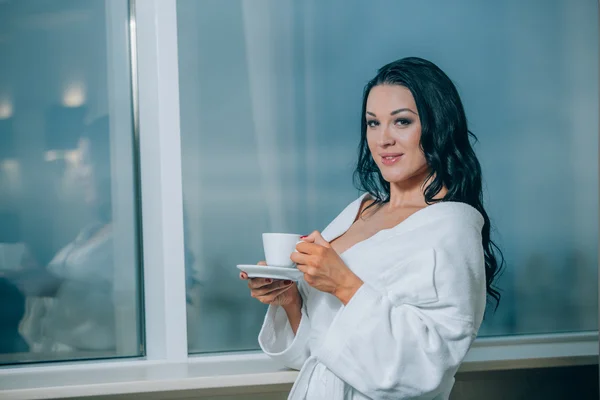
x=277 y=339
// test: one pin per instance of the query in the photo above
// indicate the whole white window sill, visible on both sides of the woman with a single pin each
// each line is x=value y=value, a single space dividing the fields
x=254 y=372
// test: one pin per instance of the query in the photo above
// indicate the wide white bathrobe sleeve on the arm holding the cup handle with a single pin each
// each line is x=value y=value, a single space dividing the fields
x=407 y=334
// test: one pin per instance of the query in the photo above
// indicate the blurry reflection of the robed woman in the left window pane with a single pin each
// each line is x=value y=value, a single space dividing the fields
x=78 y=313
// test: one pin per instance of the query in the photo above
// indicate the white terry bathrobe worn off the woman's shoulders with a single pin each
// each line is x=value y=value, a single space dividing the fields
x=405 y=332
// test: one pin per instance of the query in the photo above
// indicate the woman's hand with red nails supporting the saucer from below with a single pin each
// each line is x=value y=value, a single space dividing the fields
x=273 y=291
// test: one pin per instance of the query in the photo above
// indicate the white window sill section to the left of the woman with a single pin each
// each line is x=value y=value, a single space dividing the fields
x=202 y=373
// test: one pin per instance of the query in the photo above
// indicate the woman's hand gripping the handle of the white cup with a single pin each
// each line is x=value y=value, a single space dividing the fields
x=324 y=269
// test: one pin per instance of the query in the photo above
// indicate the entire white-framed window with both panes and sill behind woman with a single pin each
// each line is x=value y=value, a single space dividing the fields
x=254 y=105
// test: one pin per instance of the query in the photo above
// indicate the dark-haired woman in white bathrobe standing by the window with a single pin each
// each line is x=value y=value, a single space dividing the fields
x=394 y=289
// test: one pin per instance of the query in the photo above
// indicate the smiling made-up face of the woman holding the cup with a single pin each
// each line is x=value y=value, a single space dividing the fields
x=394 y=133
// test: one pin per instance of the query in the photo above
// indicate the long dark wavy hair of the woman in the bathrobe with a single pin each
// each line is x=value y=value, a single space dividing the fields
x=445 y=141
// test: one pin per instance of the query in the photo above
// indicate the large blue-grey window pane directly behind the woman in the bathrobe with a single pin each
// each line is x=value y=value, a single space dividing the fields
x=270 y=125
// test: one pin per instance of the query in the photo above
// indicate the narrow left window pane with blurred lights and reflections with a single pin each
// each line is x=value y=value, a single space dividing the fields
x=69 y=258
